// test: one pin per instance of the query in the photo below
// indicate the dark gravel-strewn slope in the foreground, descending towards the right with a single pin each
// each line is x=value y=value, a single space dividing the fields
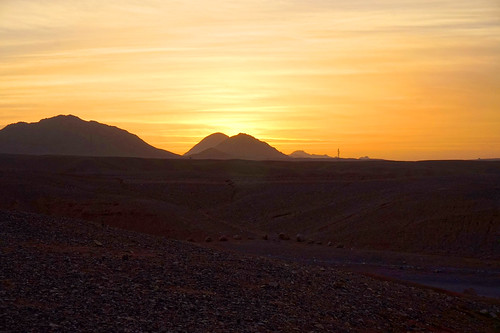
x=61 y=274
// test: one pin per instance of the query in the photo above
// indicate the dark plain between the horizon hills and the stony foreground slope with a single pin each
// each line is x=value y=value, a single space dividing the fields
x=427 y=207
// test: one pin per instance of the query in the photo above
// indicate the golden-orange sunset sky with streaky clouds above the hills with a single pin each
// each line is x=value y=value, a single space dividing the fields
x=393 y=79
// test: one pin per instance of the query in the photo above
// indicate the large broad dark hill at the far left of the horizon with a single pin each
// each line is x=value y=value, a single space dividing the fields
x=70 y=135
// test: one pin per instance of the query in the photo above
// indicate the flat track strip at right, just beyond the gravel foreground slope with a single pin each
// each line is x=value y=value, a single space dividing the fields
x=453 y=274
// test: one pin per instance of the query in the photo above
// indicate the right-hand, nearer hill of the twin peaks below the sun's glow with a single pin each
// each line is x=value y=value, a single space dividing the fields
x=241 y=146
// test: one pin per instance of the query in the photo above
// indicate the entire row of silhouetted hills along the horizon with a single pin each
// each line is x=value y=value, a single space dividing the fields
x=70 y=135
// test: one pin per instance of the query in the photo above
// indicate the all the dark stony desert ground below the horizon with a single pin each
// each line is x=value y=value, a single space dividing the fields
x=92 y=243
